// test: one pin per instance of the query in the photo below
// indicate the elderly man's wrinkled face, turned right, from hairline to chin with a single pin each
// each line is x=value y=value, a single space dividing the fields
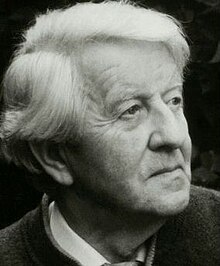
x=136 y=149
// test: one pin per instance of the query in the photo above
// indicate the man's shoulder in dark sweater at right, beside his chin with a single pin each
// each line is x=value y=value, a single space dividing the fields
x=193 y=236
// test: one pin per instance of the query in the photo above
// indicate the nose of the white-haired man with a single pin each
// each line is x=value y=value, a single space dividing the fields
x=169 y=130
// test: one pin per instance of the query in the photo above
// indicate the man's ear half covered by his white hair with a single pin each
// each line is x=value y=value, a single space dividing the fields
x=51 y=161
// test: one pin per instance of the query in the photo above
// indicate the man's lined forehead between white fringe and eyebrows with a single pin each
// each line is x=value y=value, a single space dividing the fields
x=138 y=65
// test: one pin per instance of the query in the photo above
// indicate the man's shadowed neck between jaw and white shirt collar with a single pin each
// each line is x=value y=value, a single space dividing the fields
x=116 y=234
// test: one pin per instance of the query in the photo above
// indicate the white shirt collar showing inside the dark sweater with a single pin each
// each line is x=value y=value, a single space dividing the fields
x=74 y=245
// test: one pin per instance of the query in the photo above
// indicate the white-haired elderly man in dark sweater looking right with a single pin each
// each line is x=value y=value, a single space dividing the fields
x=94 y=108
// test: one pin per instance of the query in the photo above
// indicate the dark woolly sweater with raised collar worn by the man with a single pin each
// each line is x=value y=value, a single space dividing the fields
x=190 y=238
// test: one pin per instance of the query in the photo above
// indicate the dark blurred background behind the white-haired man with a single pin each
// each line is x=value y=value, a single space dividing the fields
x=201 y=22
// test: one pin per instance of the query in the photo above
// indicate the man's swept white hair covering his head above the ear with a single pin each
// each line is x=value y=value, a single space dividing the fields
x=44 y=89
